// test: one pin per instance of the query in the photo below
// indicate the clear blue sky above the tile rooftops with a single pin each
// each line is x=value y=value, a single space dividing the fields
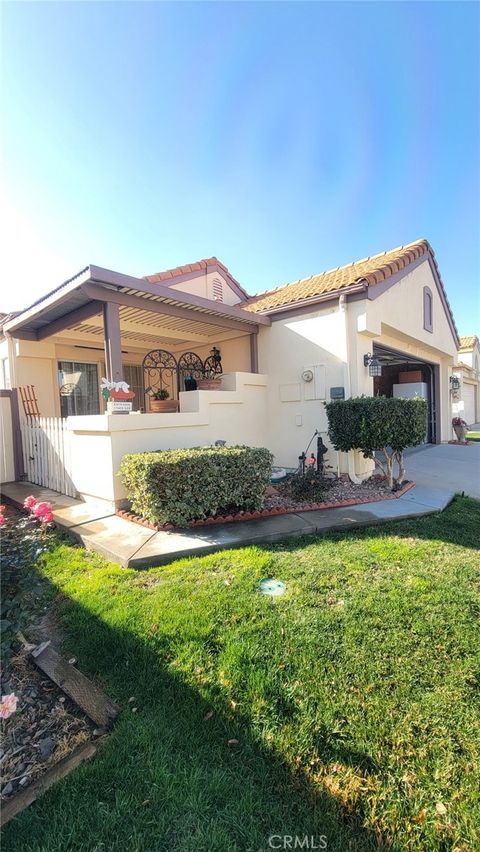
x=284 y=138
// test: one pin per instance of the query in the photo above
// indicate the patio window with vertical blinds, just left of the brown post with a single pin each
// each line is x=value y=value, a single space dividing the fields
x=79 y=388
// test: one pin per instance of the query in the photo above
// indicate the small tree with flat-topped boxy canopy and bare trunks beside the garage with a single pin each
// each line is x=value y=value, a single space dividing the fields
x=373 y=424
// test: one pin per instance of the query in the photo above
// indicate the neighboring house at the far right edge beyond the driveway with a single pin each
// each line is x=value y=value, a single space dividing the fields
x=466 y=398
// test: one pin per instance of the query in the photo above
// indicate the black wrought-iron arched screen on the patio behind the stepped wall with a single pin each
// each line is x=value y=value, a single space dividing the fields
x=163 y=371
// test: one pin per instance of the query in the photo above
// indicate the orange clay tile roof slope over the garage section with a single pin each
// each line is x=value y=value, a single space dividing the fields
x=371 y=270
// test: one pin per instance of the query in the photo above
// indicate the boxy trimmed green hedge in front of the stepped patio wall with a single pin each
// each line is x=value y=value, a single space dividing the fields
x=177 y=486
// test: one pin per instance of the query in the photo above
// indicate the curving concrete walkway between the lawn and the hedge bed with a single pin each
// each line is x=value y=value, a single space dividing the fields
x=93 y=525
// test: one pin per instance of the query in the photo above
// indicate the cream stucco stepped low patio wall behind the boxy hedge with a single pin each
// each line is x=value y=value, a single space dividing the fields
x=204 y=417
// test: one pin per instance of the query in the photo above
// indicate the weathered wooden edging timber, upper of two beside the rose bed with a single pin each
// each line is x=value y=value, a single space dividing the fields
x=79 y=688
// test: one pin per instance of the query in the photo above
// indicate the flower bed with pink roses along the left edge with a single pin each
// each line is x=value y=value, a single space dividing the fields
x=40 y=725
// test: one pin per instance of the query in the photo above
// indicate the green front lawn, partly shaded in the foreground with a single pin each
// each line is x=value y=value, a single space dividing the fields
x=347 y=708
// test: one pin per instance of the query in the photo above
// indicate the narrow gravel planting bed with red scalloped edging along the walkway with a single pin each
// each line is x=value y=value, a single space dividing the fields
x=342 y=492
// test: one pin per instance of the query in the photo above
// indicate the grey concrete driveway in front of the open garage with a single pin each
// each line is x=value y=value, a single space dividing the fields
x=448 y=466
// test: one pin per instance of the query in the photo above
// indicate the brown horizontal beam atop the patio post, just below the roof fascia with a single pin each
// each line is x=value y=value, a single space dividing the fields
x=94 y=291
